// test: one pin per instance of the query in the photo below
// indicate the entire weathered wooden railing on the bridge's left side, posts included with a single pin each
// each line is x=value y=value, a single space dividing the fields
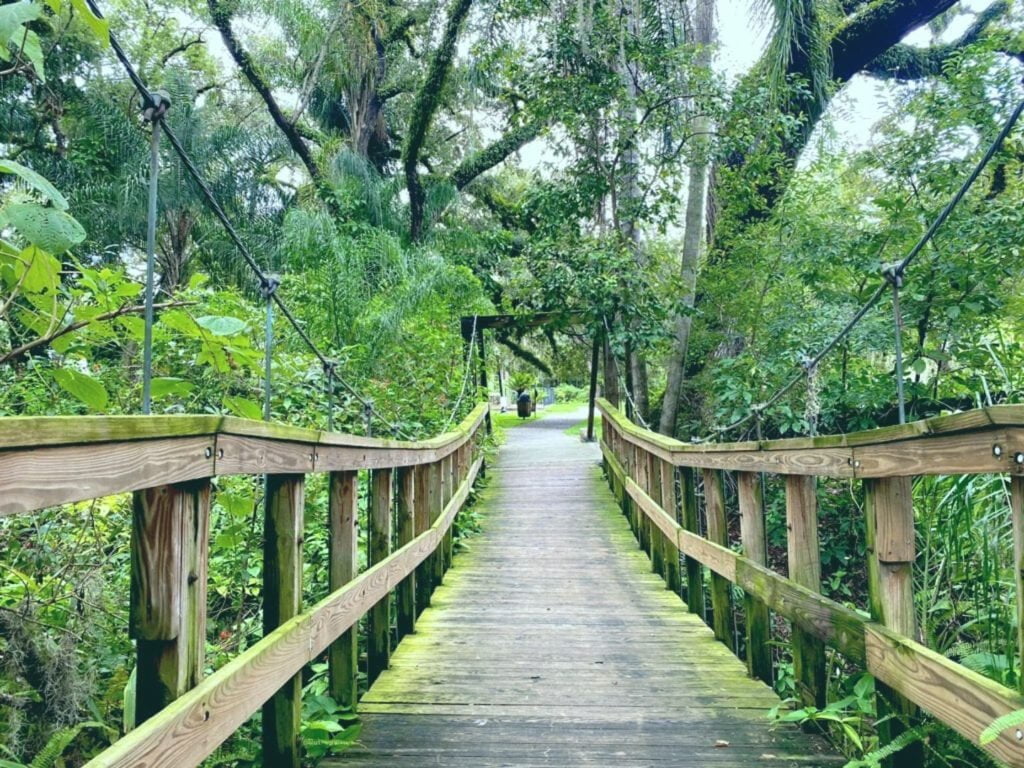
x=416 y=491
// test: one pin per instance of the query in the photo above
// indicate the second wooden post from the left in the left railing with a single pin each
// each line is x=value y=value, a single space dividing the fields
x=282 y=601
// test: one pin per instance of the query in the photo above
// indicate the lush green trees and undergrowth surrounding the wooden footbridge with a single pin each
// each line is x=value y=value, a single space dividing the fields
x=400 y=165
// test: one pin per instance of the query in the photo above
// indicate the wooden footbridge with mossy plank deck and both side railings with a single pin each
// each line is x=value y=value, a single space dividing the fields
x=589 y=624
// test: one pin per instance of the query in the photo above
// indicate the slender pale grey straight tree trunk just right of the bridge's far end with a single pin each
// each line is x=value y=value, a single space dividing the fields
x=704 y=35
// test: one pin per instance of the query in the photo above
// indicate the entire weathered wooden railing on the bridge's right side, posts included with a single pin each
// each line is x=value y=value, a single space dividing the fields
x=654 y=478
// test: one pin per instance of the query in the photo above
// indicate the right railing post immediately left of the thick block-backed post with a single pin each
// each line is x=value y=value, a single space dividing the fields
x=805 y=570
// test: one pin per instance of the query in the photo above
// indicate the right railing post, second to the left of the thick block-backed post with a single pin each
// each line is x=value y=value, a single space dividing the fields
x=752 y=532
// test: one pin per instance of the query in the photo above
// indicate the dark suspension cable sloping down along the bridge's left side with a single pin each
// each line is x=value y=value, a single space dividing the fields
x=264 y=279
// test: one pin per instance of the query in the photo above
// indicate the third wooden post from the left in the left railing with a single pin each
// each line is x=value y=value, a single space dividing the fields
x=344 y=566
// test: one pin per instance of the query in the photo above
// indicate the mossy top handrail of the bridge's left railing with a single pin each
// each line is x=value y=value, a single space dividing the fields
x=48 y=461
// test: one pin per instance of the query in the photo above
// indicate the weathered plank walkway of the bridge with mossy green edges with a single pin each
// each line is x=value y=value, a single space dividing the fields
x=551 y=644
